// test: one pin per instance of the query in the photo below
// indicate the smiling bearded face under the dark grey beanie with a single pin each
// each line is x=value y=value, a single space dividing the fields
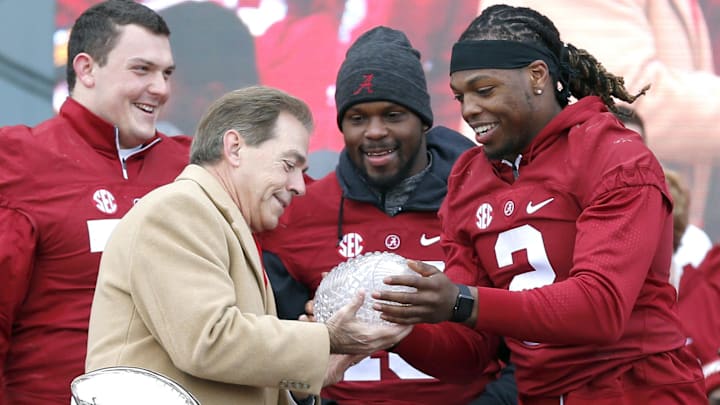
x=385 y=141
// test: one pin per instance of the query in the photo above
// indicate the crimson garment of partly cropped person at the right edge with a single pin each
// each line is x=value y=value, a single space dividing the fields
x=699 y=309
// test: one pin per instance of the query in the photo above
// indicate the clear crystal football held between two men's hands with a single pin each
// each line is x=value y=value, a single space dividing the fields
x=362 y=272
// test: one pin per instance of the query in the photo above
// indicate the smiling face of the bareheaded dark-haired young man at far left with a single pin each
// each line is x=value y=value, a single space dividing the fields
x=131 y=87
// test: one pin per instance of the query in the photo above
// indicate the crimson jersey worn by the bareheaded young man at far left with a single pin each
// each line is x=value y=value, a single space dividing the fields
x=62 y=190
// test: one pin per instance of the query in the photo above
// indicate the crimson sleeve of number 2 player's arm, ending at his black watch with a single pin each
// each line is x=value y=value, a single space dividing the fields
x=618 y=236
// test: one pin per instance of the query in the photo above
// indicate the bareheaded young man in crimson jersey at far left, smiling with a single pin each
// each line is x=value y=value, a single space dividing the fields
x=65 y=183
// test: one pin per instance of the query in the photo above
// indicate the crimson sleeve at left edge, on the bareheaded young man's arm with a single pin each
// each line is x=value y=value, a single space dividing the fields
x=17 y=251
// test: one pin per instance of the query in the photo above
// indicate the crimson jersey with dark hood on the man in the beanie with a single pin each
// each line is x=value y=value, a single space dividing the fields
x=339 y=218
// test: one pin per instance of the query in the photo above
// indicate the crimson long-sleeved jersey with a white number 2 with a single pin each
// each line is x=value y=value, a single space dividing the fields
x=582 y=224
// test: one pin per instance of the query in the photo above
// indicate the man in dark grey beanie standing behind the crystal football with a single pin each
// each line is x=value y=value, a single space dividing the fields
x=383 y=196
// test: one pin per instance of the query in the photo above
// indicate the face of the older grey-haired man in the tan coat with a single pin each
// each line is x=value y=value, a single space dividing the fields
x=271 y=174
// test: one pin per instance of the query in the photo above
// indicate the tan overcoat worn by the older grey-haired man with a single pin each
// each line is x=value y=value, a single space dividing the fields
x=181 y=291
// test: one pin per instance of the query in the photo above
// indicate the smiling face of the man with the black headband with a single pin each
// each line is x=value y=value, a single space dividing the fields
x=500 y=106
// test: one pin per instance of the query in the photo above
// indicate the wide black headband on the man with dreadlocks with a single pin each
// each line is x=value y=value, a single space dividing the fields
x=498 y=54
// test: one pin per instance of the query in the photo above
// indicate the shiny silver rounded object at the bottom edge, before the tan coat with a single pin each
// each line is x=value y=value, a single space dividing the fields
x=127 y=386
